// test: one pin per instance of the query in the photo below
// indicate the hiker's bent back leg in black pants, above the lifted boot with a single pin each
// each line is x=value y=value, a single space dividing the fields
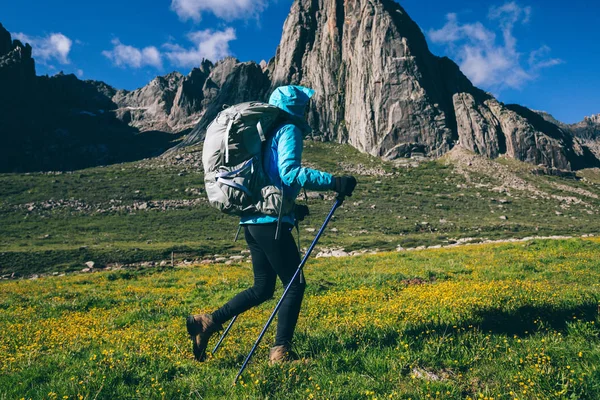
x=264 y=284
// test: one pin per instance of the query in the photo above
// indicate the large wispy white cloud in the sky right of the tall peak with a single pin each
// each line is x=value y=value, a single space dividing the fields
x=485 y=61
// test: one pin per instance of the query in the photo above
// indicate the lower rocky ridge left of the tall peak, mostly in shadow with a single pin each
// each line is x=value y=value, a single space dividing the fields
x=61 y=122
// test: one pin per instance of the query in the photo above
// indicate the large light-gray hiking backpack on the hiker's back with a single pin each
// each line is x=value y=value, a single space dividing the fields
x=234 y=178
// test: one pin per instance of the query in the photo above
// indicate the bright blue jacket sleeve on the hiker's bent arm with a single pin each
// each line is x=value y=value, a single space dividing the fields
x=289 y=152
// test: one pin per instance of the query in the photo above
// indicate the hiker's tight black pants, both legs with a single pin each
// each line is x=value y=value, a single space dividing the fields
x=270 y=258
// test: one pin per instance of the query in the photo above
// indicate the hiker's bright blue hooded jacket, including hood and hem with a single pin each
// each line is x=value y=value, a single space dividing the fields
x=283 y=153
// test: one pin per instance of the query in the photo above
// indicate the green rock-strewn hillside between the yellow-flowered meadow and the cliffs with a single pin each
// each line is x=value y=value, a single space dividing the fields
x=146 y=210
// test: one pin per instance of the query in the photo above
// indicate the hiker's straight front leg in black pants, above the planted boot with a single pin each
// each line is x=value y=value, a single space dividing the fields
x=284 y=259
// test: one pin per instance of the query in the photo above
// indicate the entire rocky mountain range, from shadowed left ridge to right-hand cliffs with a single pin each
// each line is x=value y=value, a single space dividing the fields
x=378 y=86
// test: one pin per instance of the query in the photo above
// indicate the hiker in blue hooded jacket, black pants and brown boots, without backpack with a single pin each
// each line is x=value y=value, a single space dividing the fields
x=272 y=246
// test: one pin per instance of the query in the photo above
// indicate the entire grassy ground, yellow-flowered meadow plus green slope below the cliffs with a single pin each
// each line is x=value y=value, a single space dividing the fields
x=486 y=321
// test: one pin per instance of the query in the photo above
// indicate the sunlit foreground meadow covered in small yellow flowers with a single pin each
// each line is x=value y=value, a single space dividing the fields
x=511 y=321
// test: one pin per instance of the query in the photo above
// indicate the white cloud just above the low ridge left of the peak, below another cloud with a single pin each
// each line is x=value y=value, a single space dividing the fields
x=208 y=44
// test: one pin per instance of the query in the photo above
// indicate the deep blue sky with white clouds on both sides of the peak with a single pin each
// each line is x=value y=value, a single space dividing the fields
x=542 y=54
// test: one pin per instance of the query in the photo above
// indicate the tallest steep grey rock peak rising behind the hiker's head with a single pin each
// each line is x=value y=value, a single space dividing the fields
x=377 y=85
